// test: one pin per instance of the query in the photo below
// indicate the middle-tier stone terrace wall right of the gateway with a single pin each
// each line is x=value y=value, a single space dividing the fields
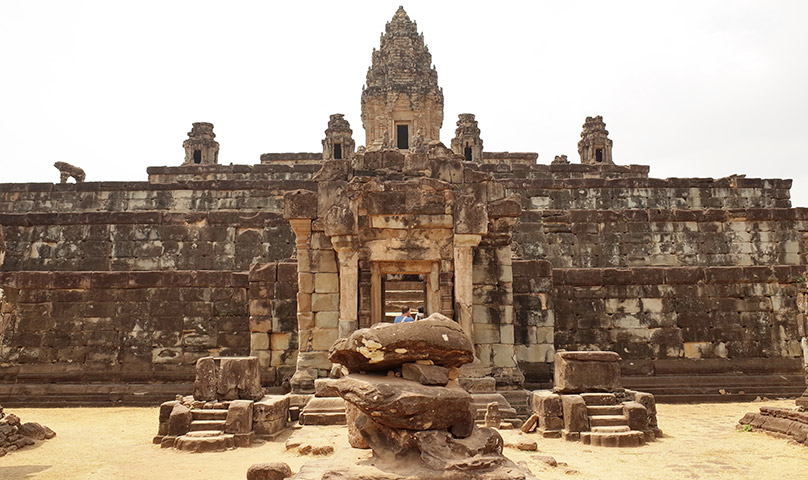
x=648 y=237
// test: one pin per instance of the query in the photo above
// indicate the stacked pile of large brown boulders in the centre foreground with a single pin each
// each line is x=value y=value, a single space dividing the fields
x=403 y=402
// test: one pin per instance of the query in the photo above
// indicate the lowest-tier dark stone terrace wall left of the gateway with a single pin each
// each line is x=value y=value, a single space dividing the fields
x=120 y=326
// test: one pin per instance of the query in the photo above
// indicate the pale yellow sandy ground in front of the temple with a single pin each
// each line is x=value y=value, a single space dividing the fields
x=115 y=443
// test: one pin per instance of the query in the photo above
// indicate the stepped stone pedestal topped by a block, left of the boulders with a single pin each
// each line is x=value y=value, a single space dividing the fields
x=227 y=410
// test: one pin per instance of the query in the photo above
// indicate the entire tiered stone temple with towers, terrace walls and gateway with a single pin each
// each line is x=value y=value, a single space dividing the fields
x=111 y=291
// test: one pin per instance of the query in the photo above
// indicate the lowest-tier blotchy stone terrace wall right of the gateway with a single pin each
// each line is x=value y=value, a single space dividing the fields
x=683 y=319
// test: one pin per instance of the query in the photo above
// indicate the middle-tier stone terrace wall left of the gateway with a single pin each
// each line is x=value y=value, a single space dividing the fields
x=132 y=241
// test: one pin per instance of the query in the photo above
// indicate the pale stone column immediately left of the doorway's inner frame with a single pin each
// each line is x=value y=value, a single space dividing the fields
x=348 y=257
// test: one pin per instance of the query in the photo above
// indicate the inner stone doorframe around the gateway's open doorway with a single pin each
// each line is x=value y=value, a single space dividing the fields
x=429 y=268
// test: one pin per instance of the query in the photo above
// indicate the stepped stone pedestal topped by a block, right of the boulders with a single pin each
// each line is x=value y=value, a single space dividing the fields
x=588 y=404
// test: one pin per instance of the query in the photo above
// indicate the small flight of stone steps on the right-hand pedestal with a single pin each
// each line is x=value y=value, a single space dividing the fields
x=608 y=425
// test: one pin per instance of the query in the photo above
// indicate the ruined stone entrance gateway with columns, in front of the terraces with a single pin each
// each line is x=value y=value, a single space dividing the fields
x=387 y=214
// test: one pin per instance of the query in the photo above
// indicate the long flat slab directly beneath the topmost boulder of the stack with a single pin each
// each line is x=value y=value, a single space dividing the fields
x=399 y=403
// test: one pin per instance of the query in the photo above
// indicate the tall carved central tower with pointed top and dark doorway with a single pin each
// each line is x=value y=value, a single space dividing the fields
x=401 y=101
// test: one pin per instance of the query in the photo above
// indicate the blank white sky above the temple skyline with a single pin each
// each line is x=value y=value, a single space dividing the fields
x=692 y=88
